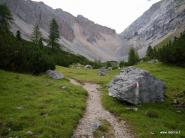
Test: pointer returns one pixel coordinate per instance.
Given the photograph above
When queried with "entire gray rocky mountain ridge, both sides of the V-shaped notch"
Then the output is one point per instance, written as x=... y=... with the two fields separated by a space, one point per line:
x=82 y=36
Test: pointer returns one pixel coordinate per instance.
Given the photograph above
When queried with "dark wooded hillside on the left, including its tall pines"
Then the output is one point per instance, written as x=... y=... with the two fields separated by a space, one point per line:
x=17 y=54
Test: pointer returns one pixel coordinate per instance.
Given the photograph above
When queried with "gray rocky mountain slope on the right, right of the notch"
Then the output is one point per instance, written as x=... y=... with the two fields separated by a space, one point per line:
x=164 y=19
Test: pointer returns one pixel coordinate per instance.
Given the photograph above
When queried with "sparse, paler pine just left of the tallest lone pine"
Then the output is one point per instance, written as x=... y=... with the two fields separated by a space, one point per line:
x=36 y=35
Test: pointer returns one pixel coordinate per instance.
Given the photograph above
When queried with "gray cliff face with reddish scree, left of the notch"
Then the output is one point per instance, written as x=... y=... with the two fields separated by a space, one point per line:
x=78 y=34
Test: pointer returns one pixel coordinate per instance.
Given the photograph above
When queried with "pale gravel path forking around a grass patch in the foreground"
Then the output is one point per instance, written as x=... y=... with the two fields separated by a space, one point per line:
x=94 y=112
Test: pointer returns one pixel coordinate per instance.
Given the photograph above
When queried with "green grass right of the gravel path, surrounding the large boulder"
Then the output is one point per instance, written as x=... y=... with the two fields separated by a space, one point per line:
x=150 y=119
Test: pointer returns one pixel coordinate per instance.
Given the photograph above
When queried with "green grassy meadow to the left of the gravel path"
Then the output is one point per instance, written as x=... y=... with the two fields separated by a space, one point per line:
x=37 y=106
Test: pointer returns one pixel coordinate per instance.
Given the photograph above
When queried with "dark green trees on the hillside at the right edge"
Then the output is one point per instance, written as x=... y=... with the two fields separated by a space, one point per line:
x=171 y=53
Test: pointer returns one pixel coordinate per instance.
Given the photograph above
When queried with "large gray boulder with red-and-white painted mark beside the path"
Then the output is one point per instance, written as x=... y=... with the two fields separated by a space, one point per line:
x=136 y=86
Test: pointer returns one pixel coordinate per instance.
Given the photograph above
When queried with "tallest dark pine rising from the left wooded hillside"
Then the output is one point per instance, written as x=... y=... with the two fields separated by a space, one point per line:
x=54 y=34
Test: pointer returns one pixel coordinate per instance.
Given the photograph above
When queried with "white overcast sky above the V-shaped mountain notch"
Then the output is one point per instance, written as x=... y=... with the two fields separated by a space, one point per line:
x=116 y=14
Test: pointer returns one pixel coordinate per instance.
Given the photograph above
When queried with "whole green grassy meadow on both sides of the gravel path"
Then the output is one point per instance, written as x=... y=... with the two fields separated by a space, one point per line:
x=37 y=106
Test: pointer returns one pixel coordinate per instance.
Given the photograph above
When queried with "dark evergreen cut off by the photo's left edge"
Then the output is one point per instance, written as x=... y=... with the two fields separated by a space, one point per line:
x=5 y=18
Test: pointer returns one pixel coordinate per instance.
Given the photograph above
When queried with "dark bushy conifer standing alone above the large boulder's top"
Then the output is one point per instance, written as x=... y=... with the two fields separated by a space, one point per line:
x=133 y=57
